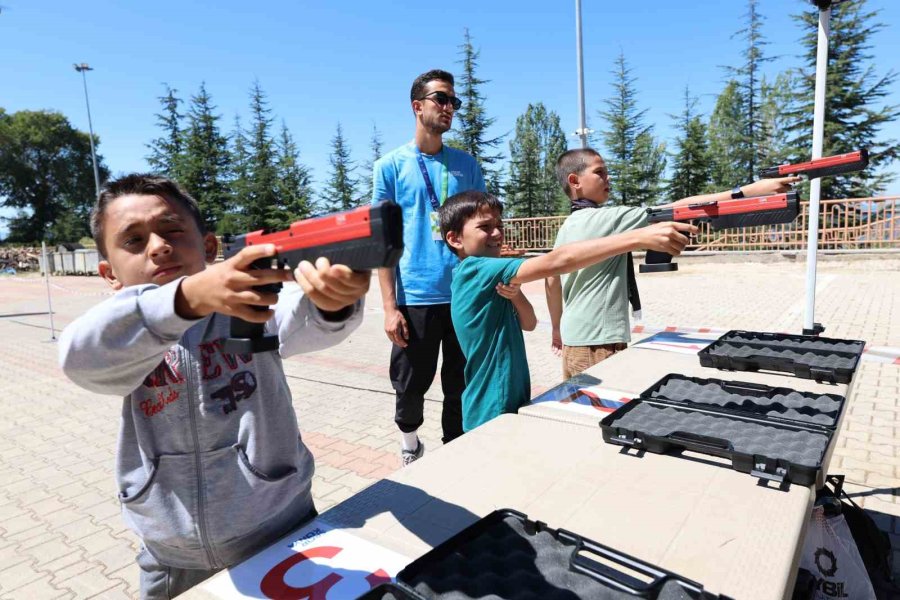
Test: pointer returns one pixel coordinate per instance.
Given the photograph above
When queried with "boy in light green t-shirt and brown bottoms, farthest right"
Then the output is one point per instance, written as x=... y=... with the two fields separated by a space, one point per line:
x=589 y=307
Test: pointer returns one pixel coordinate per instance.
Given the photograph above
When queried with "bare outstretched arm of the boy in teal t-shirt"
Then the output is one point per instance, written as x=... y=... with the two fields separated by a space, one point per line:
x=670 y=238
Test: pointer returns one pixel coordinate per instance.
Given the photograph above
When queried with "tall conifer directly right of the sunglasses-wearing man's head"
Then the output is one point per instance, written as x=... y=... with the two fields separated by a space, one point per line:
x=472 y=122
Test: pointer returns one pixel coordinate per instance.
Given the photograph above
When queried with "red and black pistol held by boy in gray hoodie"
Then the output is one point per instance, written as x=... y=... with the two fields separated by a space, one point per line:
x=370 y=237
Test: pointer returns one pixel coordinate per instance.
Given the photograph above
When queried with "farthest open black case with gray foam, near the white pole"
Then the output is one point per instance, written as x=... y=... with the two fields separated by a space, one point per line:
x=823 y=359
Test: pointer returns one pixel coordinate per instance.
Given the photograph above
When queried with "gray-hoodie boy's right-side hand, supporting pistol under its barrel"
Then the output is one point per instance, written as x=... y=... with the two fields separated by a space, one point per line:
x=331 y=287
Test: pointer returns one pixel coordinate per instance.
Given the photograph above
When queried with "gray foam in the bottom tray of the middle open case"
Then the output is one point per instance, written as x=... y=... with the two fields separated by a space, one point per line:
x=797 y=446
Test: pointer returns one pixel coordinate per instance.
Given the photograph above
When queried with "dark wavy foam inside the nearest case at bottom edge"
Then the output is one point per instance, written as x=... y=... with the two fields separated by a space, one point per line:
x=508 y=563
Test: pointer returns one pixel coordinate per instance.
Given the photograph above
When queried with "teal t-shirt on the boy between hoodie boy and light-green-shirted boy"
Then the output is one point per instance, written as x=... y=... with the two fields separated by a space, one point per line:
x=488 y=329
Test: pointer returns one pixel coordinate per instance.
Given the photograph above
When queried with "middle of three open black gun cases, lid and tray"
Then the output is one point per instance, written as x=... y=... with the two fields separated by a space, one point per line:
x=773 y=433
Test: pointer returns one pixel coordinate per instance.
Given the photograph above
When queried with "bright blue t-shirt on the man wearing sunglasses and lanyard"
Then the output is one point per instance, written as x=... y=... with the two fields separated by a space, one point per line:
x=426 y=267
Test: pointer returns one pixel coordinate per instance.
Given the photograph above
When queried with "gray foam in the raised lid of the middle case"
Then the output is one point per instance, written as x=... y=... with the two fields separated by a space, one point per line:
x=808 y=408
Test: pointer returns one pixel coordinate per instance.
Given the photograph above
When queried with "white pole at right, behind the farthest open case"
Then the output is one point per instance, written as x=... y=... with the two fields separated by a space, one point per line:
x=815 y=186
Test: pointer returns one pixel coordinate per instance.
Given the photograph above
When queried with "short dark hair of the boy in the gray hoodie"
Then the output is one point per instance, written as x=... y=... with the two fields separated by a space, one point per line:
x=142 y=184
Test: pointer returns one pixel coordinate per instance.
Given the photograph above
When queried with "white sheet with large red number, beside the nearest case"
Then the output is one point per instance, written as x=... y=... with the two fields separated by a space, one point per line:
x=318 y=563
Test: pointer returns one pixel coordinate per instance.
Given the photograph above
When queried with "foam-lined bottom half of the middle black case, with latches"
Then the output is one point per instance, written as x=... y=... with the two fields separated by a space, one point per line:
x=774 y=450
